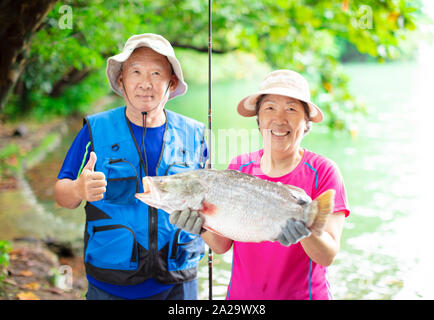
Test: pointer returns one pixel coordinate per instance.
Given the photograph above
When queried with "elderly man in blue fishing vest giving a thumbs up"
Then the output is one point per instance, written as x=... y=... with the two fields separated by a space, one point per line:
x=131 y=251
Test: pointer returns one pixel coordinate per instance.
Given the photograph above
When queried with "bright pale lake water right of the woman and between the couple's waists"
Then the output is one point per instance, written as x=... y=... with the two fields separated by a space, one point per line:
x=385 y=250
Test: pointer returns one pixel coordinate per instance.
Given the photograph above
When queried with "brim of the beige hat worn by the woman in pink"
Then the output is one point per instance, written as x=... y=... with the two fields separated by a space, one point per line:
x=247 y=106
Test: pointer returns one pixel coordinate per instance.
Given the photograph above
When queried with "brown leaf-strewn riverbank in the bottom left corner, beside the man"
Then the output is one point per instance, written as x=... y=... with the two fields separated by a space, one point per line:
x=38 y=272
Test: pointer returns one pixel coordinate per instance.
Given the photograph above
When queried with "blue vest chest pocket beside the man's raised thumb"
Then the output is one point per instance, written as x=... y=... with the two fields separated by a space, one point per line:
x=122 y=182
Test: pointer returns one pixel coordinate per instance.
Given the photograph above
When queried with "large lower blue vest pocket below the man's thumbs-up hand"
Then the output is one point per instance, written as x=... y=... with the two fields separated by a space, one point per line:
x=112 y=247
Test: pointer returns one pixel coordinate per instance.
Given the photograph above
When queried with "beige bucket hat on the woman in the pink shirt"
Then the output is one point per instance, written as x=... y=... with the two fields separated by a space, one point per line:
x=282 y=82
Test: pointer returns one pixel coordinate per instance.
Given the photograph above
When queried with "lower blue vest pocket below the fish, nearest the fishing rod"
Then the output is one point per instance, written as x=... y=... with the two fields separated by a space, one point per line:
x=185 y=251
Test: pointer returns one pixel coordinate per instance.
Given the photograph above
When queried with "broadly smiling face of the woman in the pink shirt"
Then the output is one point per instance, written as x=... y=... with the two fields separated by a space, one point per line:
x=282 y=121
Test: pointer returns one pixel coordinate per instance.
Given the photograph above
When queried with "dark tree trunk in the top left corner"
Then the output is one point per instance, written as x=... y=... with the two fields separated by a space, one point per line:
x=20 y=19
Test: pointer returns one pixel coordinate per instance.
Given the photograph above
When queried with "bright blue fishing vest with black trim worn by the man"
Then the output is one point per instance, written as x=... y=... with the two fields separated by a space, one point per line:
x=127 y=241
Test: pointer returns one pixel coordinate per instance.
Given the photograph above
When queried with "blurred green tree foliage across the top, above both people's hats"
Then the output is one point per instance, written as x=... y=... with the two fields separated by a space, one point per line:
x=303 y=35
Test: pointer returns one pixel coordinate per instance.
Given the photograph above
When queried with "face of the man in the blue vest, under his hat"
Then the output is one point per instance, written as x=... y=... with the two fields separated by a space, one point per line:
x=145 y=77
